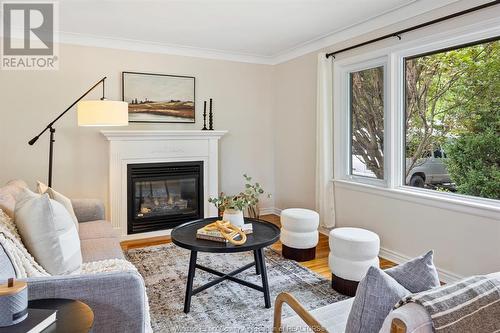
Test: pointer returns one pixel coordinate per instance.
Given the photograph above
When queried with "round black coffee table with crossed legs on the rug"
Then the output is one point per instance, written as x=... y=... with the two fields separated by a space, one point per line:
x=264 y=234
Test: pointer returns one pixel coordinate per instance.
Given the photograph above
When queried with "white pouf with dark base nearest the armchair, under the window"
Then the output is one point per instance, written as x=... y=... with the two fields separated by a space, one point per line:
x=352 y=252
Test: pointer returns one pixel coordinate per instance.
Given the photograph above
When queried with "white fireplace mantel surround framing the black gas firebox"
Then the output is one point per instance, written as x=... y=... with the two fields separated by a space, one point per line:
x=157 y=146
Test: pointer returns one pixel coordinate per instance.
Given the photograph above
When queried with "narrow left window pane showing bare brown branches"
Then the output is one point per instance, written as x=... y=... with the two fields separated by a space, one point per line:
x=367 y=122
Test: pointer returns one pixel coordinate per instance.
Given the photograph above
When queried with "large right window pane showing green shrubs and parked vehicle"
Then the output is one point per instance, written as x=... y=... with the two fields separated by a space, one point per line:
x=452 y=120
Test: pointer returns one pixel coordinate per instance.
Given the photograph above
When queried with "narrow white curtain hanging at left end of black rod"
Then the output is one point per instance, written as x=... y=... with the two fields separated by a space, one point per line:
x=325 y=203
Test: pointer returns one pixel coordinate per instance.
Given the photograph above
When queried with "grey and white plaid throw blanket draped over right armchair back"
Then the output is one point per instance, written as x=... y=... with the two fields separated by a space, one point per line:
x=470 y=305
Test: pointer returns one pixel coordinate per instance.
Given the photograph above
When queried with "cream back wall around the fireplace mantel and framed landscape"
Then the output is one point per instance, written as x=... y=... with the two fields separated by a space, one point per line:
x=243 y=99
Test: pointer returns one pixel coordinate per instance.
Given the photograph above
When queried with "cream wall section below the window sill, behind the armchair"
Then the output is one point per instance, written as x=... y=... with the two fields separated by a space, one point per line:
x=464 y=244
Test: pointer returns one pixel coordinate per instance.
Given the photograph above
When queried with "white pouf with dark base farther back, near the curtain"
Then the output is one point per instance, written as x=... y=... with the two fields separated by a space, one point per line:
x=299 y=233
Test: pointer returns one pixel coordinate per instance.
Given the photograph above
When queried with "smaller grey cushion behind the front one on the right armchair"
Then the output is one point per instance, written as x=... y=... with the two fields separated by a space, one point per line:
x=416 y=275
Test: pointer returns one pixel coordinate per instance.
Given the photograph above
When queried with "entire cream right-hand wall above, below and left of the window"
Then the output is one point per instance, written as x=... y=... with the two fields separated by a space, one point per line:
x=464 y=243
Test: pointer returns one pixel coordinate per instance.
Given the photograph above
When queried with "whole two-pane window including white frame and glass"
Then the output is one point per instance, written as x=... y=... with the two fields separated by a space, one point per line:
x=420 y=120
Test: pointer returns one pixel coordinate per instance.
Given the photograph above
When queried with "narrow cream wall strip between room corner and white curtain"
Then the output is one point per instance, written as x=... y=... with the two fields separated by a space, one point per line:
x=295 y=125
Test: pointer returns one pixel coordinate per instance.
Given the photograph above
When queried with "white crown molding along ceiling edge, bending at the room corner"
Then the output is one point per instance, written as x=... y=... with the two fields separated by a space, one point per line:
x=394 y=16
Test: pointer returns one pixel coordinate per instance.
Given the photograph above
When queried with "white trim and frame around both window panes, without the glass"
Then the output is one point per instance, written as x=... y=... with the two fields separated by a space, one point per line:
x=393 y=184
